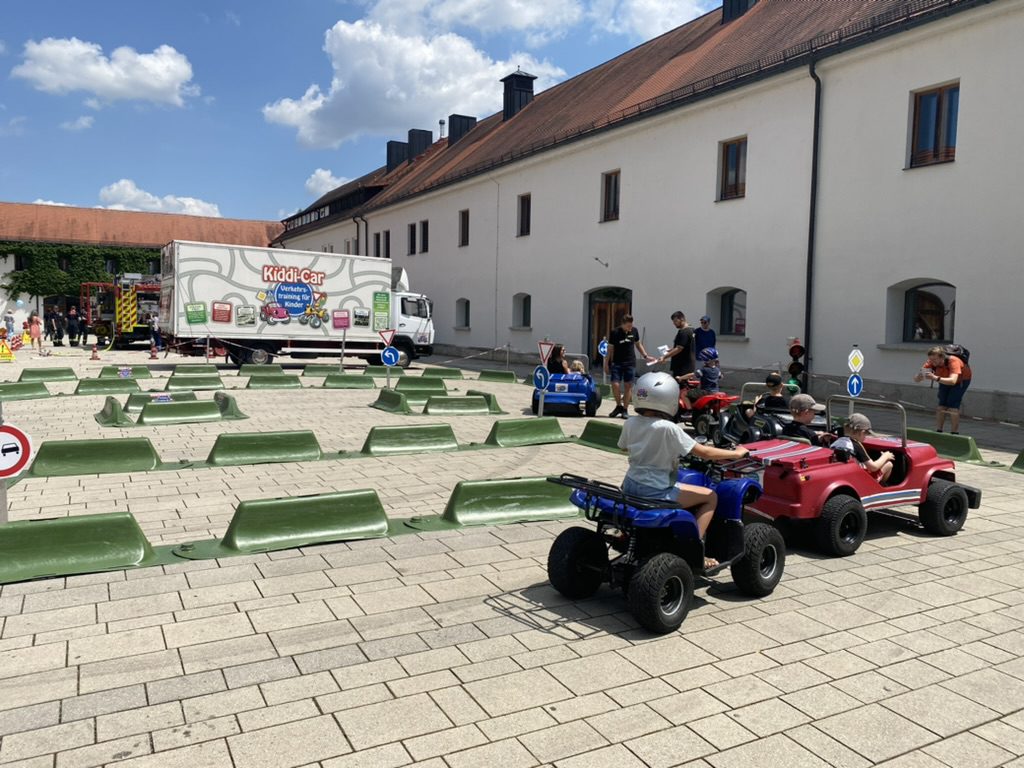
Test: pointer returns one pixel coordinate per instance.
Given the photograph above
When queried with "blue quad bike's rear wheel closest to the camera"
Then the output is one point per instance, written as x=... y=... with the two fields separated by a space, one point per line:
x=661 y=593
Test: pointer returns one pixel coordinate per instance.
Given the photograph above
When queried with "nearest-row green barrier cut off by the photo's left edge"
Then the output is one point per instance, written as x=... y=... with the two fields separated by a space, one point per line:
x=84 y=544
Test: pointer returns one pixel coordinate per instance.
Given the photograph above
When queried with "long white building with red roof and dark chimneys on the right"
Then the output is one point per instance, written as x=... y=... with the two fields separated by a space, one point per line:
x=791 y=168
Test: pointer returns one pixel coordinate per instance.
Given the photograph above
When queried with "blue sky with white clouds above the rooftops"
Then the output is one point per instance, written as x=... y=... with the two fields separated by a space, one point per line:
x=252 y=110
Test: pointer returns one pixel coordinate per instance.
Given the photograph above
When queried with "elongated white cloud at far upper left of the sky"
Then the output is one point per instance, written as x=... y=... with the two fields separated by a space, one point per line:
x=65 y=66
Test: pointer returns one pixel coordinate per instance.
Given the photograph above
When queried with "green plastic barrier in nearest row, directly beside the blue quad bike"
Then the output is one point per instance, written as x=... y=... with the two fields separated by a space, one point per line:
x=500 y=502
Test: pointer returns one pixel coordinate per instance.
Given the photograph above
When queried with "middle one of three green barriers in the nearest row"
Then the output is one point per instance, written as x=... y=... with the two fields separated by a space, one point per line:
x=271 y=525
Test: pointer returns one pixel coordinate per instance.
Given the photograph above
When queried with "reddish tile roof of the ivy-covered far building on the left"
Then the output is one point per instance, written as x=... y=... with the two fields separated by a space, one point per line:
x=27 y=223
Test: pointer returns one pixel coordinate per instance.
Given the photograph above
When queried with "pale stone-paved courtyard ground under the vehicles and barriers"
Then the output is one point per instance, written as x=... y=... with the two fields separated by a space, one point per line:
x=451 y=651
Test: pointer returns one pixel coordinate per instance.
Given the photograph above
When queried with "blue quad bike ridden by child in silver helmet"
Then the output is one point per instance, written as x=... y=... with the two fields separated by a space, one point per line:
x=654 y=551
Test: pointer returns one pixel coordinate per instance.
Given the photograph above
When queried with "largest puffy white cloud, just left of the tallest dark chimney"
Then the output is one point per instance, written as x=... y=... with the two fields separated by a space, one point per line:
x=387 y=83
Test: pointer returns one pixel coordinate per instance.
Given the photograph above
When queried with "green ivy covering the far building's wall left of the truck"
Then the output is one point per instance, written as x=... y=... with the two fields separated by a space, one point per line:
x=42 y=274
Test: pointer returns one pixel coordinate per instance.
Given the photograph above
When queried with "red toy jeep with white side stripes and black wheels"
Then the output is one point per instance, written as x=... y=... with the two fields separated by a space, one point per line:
x=805 y=483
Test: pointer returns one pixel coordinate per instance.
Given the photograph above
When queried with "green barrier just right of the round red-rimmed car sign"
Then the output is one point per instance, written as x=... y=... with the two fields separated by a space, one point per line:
x=64 y=458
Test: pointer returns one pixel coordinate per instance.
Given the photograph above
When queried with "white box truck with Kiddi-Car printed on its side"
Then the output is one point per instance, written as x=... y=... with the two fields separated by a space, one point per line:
x=255 y=304
